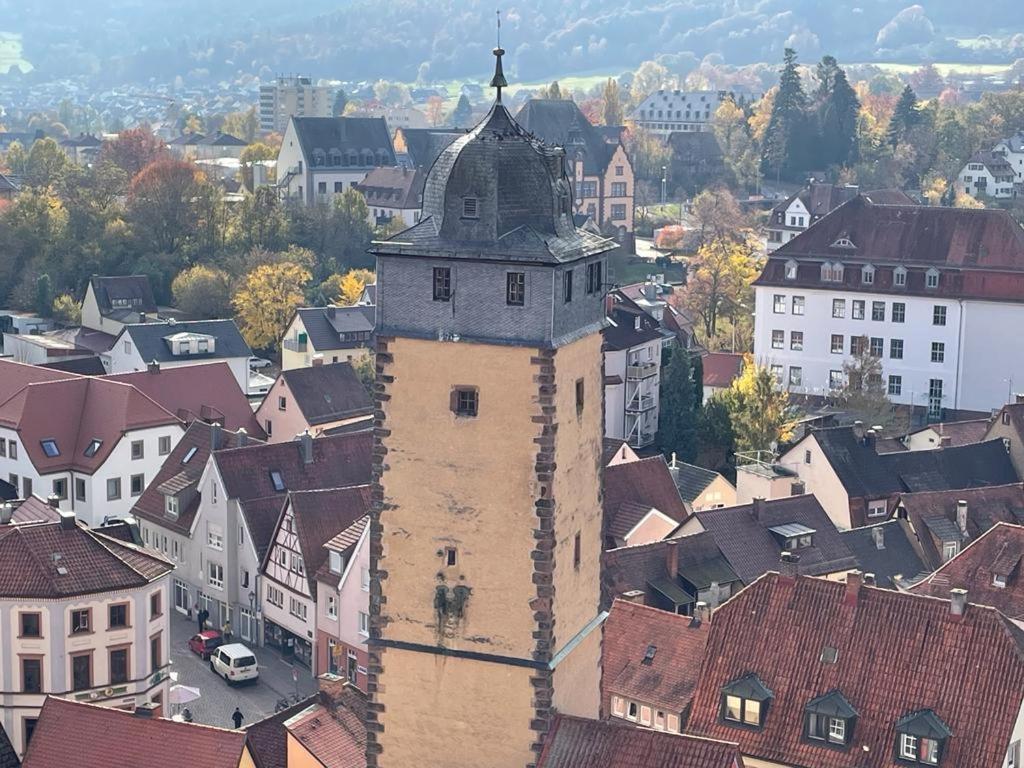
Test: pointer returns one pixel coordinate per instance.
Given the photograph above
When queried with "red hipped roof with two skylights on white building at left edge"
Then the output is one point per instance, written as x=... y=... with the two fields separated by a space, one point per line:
x=74 y=412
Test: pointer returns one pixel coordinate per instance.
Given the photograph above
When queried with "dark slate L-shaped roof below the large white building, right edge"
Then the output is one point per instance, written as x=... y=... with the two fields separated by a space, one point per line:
x=866 y=474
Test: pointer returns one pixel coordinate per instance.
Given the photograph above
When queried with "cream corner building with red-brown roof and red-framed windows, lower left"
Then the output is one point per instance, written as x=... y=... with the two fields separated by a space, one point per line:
x=87 y=620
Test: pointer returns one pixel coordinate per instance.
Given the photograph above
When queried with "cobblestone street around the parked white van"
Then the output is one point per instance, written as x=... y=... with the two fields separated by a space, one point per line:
x=220 y=700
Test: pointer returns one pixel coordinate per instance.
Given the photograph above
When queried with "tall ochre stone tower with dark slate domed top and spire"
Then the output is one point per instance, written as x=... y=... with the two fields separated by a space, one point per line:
x=486 y=534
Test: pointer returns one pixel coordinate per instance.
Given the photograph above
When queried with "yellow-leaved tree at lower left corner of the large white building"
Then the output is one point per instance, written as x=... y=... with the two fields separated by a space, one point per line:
x=759 y=409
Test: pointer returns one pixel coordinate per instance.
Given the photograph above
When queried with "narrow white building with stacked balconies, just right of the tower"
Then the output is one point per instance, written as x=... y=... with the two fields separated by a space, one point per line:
x=633 y=342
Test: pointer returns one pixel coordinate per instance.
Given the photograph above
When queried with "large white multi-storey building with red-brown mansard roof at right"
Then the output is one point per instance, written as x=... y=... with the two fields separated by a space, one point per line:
x=928 y=288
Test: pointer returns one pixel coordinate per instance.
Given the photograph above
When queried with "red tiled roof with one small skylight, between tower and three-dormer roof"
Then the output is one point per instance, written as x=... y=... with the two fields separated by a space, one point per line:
x=669 y=679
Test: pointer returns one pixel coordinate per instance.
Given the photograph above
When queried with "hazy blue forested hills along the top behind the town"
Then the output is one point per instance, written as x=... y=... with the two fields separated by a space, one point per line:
x=116 y=41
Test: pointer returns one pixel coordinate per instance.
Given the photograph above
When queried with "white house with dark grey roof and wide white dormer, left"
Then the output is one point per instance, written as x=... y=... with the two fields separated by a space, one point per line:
x=172 y=344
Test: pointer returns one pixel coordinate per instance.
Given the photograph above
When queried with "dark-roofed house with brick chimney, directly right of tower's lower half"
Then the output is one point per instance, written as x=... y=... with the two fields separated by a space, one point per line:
x=672 y=575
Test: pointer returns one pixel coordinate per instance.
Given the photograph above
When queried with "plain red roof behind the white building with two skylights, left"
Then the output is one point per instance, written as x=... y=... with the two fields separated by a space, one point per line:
x=206 y=392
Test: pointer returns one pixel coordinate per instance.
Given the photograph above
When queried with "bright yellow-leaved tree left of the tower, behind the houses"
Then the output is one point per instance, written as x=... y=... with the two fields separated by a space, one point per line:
x=267 y=301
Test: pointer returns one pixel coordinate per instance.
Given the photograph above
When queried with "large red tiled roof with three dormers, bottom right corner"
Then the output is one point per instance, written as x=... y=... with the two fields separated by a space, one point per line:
x=898 y=654
